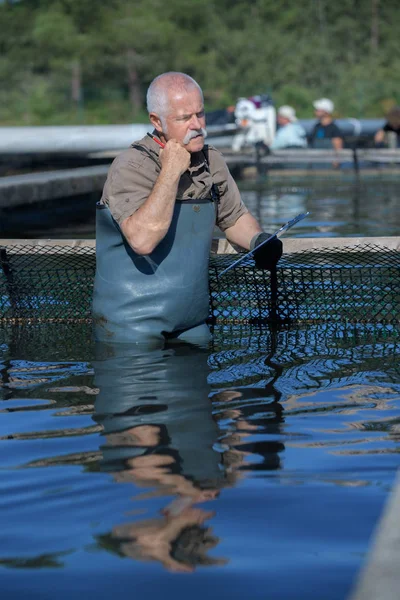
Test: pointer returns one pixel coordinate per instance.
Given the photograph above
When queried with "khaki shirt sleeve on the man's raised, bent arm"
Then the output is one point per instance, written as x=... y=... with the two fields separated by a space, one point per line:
x=129 y=183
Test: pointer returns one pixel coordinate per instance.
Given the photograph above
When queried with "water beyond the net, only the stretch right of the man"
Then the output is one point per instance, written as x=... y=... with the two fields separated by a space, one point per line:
x=343 y=206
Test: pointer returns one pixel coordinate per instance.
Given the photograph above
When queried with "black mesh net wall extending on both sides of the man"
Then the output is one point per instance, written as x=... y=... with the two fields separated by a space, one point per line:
x=357 y=284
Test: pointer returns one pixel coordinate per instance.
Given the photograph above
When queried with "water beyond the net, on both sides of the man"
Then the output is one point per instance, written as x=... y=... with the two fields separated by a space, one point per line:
x=340 y=206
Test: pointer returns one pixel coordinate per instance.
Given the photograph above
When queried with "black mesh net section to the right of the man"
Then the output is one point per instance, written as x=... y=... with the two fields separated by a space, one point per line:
x=356 y=284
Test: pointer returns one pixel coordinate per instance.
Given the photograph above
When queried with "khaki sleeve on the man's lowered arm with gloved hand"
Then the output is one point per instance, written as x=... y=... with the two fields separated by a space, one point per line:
x=230 y=206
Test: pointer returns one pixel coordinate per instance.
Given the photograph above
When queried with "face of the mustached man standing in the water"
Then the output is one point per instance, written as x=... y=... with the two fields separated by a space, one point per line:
x=185 y=119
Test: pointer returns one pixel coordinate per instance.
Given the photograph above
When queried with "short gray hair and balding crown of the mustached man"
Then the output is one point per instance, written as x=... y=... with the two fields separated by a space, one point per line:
x=157 y=94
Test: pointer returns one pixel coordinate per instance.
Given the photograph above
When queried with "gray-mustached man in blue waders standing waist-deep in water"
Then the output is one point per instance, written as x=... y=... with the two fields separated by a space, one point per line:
x=155 y=224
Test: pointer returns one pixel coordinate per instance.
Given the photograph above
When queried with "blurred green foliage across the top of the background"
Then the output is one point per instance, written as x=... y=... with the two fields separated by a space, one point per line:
x=81 y=61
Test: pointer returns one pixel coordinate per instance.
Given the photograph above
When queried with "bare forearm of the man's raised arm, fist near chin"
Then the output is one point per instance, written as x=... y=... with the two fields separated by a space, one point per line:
x=145 y=229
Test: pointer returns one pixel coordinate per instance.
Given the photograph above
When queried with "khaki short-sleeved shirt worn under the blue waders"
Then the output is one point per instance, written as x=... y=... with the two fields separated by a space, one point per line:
x=133 y=174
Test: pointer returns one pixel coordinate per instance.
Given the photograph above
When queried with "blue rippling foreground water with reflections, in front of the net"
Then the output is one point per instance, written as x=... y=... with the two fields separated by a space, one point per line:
x=255 y=468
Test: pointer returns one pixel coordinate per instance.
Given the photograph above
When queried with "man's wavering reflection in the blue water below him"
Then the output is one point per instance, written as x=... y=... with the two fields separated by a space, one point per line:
x=160 y=434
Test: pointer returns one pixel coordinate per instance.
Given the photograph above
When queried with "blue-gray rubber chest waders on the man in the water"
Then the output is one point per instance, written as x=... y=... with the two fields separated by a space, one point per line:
x=164 y=294
